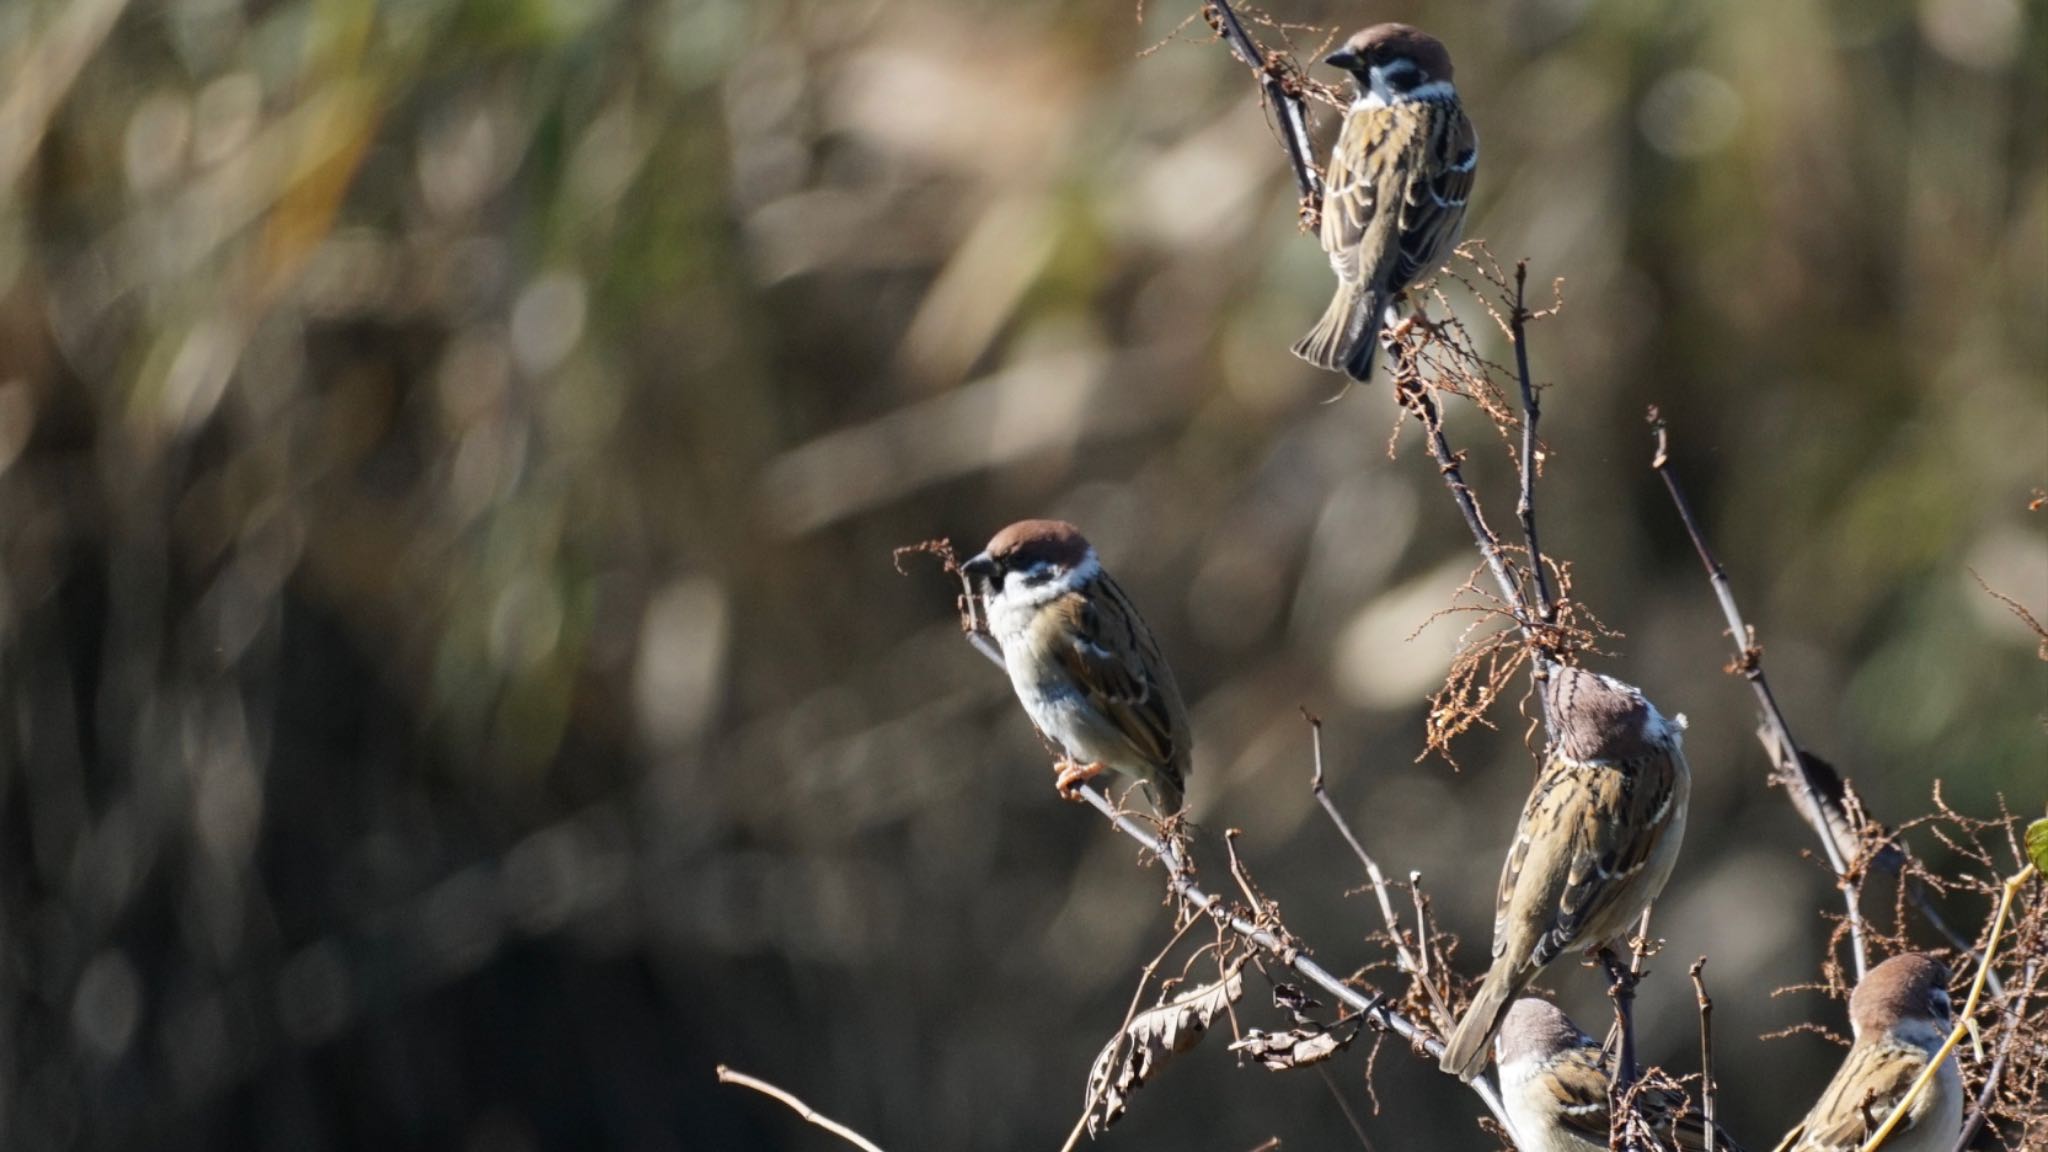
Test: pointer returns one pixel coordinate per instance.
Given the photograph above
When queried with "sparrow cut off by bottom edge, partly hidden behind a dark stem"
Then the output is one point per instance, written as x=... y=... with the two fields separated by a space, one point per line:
x=1555 y=1087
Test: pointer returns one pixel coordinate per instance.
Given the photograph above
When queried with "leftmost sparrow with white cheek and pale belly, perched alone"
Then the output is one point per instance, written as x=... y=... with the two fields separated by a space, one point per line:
x=1082 y=661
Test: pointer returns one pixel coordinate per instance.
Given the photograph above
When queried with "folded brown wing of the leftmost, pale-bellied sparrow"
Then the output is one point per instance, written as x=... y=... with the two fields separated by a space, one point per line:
x=1117 y=665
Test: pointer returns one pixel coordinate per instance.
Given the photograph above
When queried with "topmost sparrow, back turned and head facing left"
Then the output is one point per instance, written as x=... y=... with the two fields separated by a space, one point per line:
x=1394 y=198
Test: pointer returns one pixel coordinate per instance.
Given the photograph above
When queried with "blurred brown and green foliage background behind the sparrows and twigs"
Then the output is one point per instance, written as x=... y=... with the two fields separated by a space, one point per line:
x=450 y=458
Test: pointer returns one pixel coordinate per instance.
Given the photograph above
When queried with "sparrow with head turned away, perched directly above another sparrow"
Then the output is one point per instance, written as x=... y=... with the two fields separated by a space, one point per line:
x=1594 y=846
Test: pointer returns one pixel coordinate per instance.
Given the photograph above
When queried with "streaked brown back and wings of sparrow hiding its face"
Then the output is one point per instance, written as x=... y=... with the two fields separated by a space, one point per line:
x=1584 y=837
